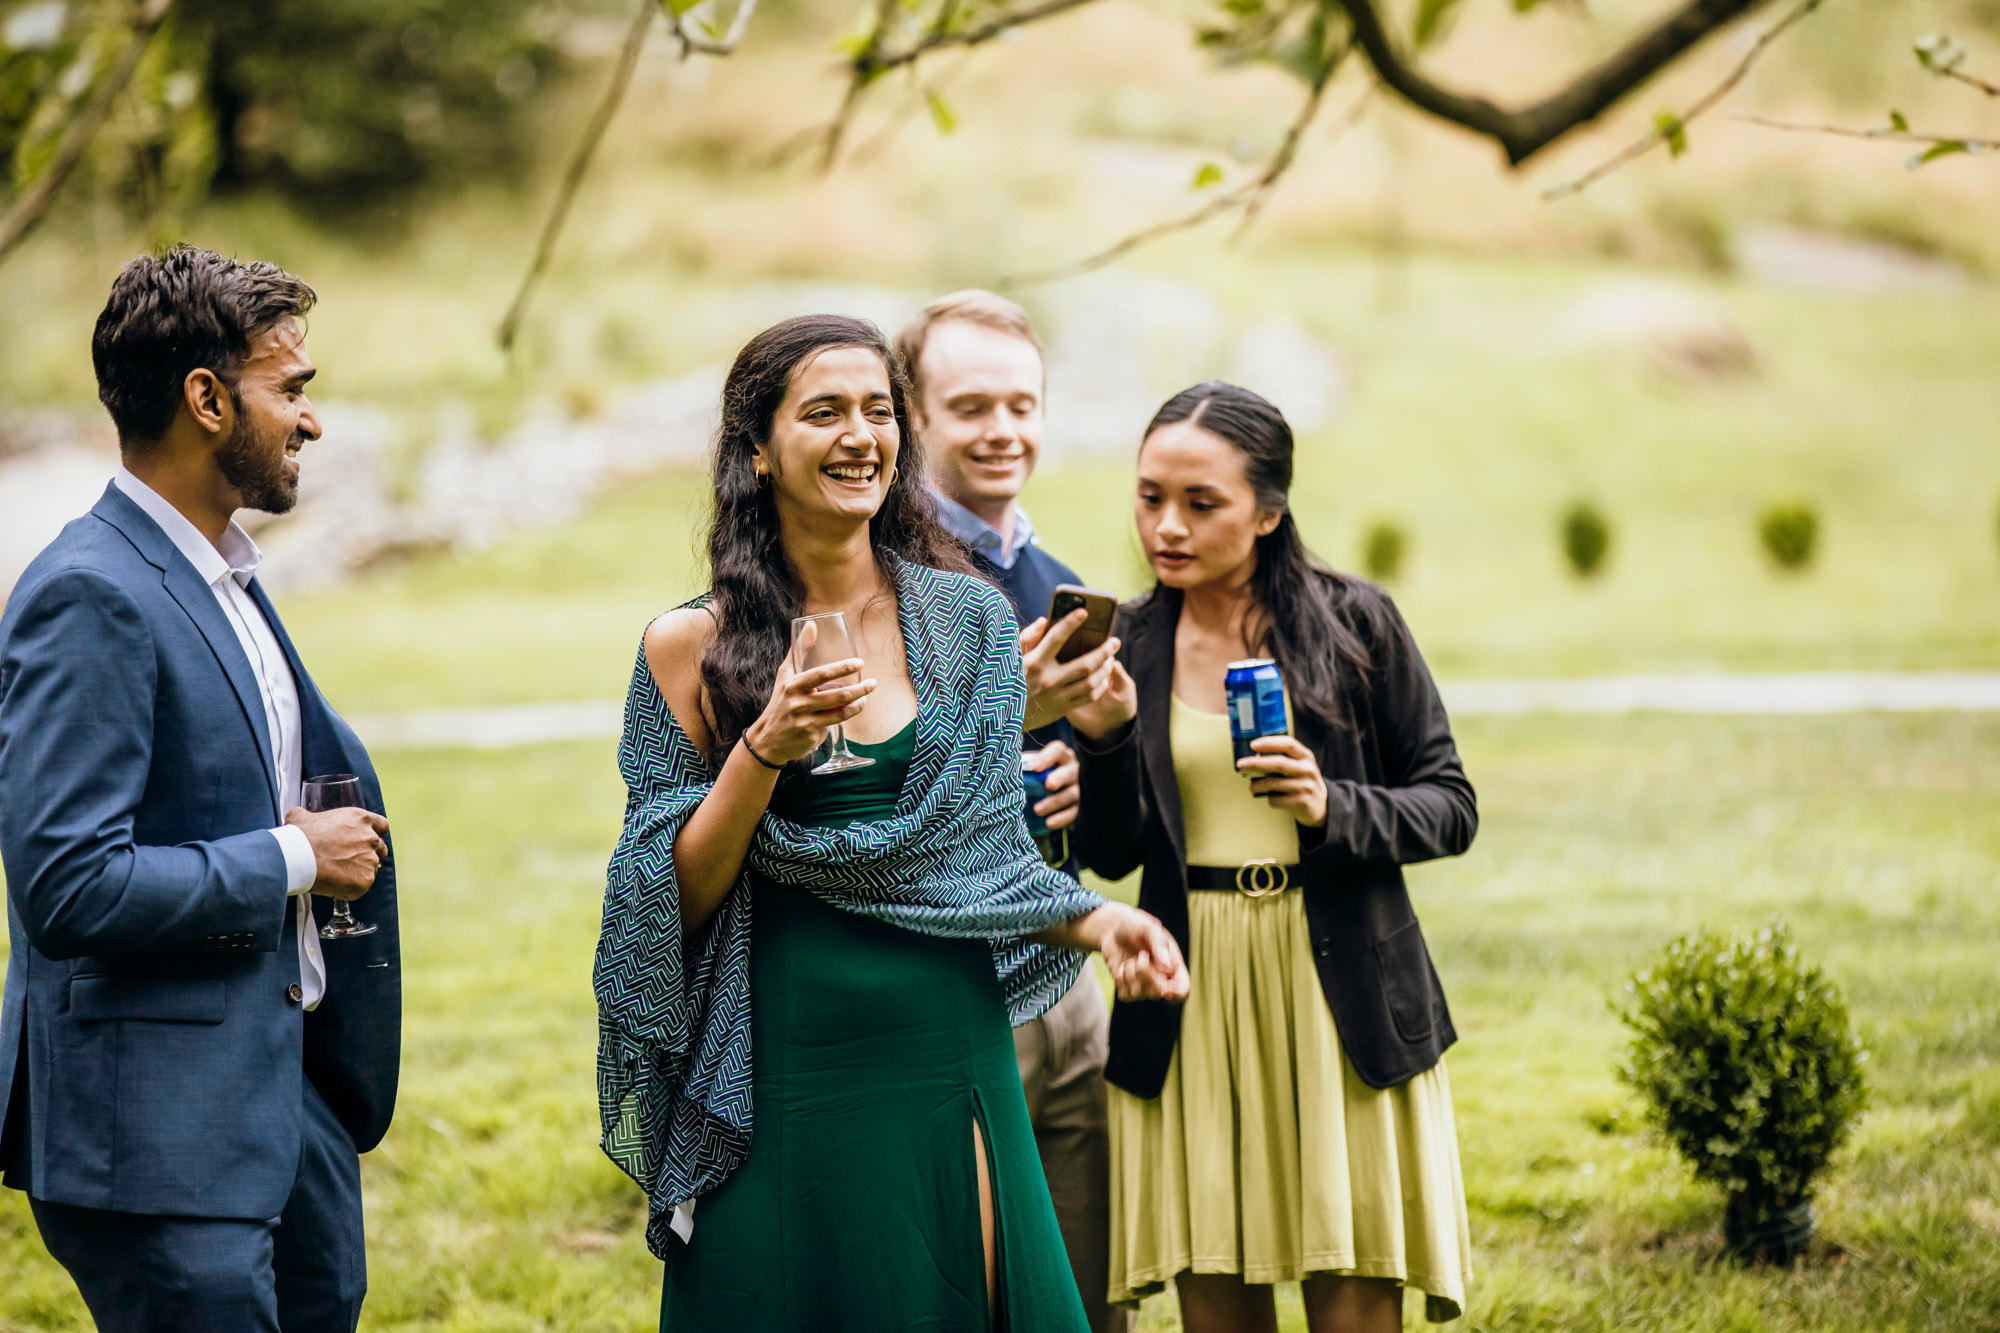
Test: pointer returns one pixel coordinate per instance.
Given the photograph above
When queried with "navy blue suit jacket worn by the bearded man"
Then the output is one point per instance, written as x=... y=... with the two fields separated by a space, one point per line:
x=151 y=1044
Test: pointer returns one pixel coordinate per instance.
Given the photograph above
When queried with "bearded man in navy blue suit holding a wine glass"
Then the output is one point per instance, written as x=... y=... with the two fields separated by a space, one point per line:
x=187 y=1074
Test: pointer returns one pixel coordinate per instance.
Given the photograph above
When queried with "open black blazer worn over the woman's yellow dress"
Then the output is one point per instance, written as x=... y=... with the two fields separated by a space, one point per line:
x=1395 y=796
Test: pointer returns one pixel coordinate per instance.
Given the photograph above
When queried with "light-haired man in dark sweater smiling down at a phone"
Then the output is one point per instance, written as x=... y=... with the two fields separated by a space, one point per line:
x=977 y=395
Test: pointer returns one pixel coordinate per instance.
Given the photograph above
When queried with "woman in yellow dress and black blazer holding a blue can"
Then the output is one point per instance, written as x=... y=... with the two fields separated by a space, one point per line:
x=1293 y=1122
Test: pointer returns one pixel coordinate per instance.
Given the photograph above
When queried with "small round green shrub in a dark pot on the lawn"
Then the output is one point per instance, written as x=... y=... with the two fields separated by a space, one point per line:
x=1749 y=1066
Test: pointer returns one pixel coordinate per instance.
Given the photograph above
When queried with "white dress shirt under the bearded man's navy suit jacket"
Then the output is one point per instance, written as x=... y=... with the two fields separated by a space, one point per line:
x=229 y=567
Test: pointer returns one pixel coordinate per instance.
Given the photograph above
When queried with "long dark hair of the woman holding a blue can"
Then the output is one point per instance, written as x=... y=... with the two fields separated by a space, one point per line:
x=1295 y=593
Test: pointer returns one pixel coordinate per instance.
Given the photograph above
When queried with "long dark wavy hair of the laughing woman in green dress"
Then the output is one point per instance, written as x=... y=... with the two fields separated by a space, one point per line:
x=753 y=587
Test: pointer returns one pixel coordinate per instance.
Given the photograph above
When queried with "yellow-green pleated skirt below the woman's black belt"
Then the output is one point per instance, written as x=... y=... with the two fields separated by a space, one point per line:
x=1265 y=1154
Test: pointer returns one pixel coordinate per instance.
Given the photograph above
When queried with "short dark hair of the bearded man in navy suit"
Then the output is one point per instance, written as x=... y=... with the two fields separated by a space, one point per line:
x=177 y=313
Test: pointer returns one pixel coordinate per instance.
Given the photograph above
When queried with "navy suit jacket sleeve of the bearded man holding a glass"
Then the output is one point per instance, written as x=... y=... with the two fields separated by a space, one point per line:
x=77 y=698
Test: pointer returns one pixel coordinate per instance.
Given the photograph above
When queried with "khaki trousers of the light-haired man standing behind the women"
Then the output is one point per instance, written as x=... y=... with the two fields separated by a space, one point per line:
x=1063 y=1074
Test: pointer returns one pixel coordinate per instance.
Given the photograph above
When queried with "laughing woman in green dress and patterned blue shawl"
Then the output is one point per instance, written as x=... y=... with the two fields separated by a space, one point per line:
x=839 y=952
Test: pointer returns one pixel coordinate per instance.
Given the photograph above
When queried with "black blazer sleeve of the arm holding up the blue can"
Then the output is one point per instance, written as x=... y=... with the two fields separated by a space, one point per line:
x=1425 y=808
